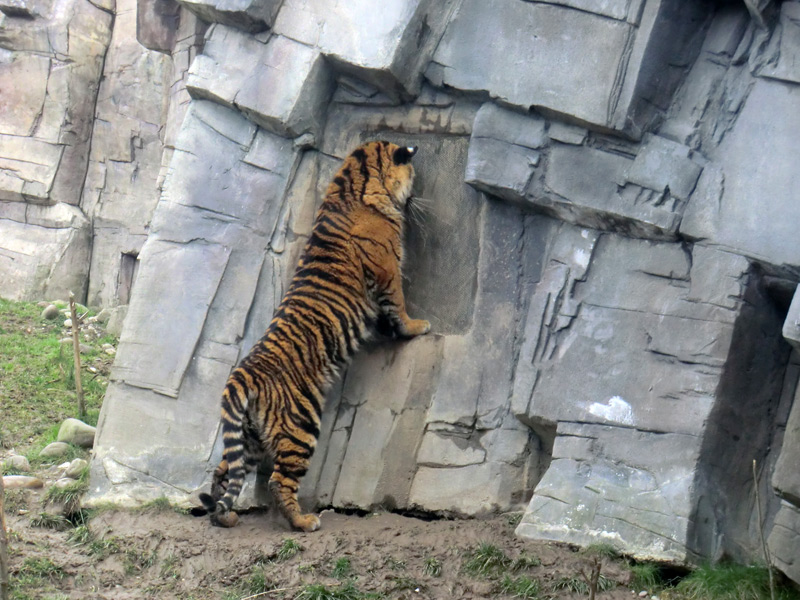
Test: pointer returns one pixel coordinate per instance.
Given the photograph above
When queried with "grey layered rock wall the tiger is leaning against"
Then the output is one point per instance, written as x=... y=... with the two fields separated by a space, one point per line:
x=605 y=248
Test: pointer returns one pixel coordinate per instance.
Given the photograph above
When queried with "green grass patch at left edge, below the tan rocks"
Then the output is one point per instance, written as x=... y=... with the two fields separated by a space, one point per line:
x=37 y=380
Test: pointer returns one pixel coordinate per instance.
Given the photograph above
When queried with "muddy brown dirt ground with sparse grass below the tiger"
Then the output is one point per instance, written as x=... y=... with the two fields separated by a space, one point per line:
x=162 y=553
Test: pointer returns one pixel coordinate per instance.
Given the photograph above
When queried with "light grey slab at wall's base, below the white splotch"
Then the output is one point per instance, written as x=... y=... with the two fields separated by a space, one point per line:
x=592 y=495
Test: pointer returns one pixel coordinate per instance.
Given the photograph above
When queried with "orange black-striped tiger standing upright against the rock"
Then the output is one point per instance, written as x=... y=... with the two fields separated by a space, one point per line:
x=348 y=279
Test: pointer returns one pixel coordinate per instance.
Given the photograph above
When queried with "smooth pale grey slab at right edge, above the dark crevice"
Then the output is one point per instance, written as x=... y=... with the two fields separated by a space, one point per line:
x=721 y=210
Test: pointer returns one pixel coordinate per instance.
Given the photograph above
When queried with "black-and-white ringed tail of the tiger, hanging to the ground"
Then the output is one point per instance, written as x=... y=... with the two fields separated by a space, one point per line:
x=232 y=467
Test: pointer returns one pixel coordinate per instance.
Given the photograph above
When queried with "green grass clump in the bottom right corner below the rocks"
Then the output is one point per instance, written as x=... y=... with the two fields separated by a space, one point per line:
x=728 y=581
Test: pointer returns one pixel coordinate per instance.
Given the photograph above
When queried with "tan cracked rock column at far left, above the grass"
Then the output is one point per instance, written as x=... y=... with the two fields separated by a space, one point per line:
x=50 y=69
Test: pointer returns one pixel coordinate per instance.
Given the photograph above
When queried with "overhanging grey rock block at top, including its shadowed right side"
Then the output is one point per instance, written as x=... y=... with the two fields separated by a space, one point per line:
x=594 y=70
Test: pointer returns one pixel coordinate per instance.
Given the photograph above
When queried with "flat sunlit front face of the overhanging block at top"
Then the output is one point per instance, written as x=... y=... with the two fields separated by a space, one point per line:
x=566 y=60
